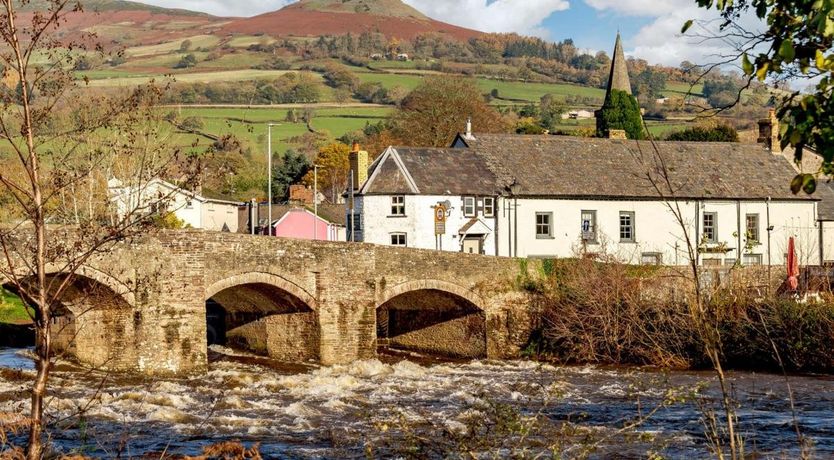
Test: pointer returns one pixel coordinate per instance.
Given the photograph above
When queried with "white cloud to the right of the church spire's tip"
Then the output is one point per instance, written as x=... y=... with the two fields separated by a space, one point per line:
x=661 y=41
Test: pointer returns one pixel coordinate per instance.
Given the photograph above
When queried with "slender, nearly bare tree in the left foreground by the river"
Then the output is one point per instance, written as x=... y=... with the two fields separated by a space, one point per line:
x=62 y=154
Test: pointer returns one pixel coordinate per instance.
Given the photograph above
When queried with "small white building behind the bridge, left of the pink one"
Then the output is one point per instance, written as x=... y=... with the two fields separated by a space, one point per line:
x=195 y=210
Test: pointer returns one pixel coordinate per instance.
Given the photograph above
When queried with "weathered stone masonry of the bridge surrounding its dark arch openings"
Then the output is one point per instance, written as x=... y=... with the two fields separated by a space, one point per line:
x=159 y=284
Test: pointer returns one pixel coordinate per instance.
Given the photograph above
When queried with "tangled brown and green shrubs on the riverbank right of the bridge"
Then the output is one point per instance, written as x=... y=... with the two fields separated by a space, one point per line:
x=612 y=314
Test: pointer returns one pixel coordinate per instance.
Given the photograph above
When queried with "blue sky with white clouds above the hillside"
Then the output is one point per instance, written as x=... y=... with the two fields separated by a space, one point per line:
x=650 y=28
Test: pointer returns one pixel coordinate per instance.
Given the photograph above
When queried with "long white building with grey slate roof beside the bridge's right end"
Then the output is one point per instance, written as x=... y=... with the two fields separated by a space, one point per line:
x=558 y=196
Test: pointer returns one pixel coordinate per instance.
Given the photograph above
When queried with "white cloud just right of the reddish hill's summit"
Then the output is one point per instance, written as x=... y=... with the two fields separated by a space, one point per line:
x=521 y=16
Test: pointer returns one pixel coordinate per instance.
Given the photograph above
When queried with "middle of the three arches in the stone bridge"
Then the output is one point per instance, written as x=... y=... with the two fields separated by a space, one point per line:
x=263 y=313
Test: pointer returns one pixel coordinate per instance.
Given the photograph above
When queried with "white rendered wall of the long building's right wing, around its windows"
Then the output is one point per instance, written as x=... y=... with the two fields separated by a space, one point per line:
x=657 y=230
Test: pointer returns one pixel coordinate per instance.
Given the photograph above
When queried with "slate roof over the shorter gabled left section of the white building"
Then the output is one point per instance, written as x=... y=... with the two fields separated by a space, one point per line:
x=432 y=171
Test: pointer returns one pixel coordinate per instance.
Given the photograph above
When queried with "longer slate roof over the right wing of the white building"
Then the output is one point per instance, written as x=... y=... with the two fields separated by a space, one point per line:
x=594 y=167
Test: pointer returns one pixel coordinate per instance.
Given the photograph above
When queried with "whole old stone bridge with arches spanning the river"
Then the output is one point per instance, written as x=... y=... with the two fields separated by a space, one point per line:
x=152 y=305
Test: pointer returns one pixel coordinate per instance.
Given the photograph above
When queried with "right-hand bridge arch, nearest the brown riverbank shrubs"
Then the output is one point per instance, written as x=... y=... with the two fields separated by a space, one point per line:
x=434 y=317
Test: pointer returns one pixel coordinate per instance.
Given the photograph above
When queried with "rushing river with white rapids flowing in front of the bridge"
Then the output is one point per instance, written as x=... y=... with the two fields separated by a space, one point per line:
x=417 y=407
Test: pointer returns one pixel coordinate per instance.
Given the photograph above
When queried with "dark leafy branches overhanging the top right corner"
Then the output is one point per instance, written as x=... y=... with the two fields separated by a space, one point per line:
x=796 y=41
